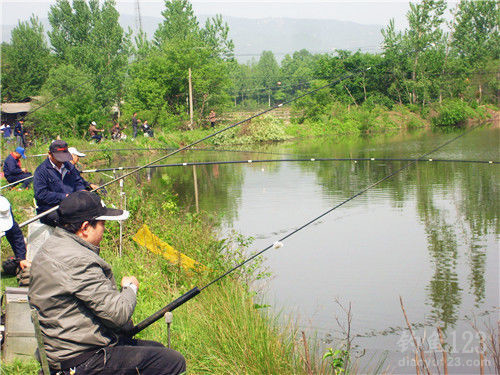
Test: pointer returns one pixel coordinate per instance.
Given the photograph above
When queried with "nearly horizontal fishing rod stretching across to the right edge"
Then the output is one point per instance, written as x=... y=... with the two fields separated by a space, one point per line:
x=250 y=161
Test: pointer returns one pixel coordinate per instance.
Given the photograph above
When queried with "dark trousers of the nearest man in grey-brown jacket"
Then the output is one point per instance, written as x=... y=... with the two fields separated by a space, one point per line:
x=133 y=357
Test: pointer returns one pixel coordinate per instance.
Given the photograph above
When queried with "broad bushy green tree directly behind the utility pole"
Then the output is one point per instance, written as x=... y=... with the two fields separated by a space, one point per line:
x=159 y=81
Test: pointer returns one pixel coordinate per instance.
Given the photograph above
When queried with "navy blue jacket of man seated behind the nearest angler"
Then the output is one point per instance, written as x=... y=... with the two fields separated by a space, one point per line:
x=51 y=188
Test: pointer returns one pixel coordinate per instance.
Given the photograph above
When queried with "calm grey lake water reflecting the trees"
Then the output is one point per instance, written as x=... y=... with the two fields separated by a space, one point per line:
x=430 y=234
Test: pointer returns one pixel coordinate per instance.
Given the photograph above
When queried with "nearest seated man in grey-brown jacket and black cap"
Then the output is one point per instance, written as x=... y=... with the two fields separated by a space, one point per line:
x=81 y=311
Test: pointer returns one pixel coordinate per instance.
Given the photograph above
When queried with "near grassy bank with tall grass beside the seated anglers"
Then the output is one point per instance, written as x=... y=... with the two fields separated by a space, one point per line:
x=220 y=331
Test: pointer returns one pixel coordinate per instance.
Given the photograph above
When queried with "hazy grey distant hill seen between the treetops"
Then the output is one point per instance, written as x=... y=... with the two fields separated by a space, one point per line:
x=280 y=35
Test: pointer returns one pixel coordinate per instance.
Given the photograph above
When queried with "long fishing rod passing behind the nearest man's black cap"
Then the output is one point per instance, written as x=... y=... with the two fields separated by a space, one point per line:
x=37 y=217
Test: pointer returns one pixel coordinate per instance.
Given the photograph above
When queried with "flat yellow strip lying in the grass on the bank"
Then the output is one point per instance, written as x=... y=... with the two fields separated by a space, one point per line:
x=146 y=238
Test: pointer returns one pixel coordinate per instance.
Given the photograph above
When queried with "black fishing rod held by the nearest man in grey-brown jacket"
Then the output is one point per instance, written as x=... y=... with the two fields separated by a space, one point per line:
x=278 y=244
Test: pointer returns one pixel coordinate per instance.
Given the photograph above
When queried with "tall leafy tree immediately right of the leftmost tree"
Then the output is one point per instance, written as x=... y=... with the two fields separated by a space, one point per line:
x=89 y=37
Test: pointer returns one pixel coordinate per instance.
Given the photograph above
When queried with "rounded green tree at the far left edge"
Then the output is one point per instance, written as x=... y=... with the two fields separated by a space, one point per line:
x=25 y=61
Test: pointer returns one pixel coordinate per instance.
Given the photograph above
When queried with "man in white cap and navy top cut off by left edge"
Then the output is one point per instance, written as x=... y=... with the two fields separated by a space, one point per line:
x=14 y=236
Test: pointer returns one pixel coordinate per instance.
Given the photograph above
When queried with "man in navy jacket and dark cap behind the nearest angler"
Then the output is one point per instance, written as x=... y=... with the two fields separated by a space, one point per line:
x=54 y=180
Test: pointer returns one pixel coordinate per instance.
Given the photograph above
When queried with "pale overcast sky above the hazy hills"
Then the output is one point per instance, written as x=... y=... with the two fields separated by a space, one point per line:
x=365 y=12
